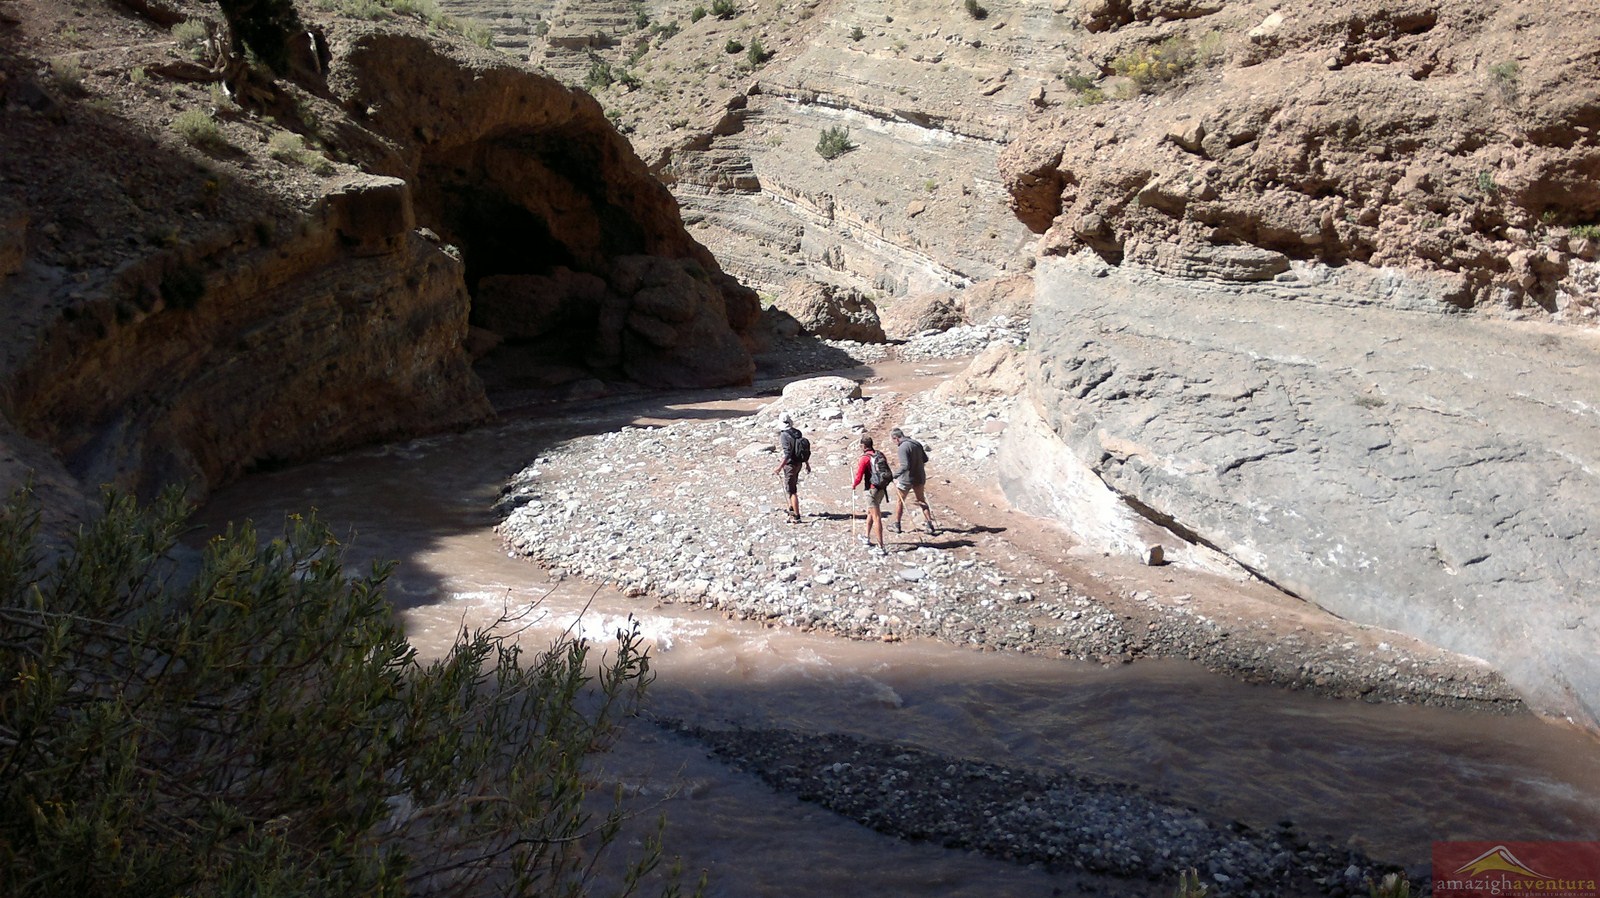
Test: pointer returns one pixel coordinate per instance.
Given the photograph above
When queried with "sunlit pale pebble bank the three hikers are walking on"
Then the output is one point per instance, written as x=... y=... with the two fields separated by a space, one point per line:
x=692 y=513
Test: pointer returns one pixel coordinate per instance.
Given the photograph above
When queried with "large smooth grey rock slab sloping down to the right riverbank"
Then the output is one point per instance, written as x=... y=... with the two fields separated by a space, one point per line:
x=1402 y=468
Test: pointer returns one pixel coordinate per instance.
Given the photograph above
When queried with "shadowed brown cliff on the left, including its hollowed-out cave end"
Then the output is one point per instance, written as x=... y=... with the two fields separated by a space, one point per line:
x=183 y=313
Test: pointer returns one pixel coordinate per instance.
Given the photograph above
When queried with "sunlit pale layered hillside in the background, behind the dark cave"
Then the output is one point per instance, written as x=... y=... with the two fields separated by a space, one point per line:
x=927 y=94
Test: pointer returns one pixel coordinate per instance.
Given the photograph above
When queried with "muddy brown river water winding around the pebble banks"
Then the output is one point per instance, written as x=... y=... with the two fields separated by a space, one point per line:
x=1385 y=779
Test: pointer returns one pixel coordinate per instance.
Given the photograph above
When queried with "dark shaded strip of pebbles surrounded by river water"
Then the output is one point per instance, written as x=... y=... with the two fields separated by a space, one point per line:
x=1055 y=820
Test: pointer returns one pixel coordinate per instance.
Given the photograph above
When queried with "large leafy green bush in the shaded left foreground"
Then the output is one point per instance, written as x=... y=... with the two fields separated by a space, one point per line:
x=255 y=723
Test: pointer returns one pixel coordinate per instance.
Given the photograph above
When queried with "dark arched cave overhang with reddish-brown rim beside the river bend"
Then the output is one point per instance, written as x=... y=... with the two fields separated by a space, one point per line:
x=550 y=206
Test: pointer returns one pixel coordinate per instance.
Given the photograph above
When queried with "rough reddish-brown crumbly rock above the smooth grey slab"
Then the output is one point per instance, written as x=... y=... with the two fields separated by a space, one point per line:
x=1457 y=138
